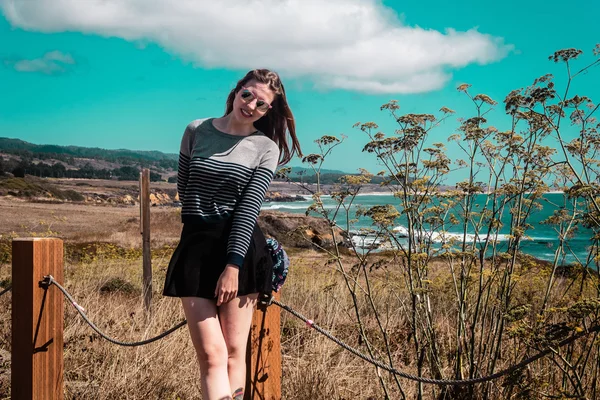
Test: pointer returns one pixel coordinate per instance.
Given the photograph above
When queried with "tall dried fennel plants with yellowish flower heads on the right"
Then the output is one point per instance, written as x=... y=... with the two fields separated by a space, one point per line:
x=474 y=303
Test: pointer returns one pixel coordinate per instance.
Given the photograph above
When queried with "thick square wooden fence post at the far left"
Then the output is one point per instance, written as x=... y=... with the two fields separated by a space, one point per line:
x=37 y=320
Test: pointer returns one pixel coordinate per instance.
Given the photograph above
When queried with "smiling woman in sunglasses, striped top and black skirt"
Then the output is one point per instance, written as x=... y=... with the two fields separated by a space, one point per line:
x=221 y=263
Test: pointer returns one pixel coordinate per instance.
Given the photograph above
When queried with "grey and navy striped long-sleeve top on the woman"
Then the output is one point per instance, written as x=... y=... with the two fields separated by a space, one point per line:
x=223 y=176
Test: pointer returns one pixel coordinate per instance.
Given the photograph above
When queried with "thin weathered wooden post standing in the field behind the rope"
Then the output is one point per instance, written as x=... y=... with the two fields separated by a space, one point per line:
x=145 y=229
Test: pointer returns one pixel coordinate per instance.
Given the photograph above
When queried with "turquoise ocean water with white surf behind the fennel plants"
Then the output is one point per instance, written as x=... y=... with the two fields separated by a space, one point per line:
x=542 y=239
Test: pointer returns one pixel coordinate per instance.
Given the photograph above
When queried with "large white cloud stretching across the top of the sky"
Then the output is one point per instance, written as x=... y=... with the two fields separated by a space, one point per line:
x=350 y=44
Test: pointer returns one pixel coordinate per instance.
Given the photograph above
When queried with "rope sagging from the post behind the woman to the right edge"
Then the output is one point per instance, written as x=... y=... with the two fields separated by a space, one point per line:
x=441 y=382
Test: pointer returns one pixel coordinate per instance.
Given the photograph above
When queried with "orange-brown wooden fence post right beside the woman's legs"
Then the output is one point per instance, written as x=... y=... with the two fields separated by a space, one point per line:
x=263 y=358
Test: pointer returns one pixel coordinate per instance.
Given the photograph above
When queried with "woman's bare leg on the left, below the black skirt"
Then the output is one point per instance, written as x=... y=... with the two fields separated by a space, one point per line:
x=211 y=349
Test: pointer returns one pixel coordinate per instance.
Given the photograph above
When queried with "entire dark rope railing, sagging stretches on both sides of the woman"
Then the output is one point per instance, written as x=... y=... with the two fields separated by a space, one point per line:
x=49 y=280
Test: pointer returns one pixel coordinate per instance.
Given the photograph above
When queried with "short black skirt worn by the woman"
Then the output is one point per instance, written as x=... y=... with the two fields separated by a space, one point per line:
x=201 y=257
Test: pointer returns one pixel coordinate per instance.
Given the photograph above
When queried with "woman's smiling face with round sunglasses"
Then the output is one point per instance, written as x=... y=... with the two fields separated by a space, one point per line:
x=251 y=102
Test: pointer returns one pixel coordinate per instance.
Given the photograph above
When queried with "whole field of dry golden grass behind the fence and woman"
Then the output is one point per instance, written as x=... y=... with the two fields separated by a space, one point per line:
x=103 y=272
